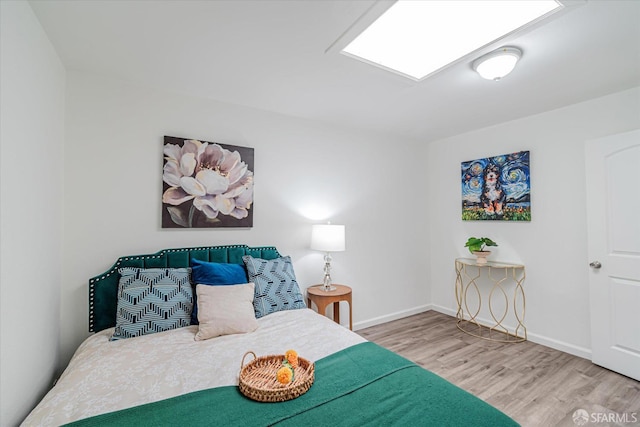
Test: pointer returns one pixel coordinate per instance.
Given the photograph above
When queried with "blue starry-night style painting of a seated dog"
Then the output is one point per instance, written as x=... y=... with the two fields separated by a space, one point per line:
x=497 y=188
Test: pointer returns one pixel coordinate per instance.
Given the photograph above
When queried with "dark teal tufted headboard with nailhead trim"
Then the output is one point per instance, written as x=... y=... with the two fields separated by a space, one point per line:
x=103 y=288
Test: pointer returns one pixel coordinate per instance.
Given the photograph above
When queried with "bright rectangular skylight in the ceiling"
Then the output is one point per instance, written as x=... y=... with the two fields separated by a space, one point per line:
x=417 y=38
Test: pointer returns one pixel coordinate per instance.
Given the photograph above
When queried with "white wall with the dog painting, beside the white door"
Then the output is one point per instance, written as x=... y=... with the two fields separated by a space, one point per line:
x=553 y=246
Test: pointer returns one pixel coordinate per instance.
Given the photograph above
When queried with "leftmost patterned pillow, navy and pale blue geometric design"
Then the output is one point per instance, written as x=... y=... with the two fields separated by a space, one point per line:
x=152 y=300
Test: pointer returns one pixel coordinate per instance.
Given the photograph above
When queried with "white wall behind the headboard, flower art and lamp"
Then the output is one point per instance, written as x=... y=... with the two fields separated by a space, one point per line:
x=305 y=173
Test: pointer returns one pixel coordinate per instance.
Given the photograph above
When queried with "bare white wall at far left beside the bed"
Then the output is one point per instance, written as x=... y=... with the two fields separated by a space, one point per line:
x=31 y=155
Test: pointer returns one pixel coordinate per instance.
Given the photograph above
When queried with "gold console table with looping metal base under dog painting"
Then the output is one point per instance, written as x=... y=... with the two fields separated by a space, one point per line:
x=506 y=281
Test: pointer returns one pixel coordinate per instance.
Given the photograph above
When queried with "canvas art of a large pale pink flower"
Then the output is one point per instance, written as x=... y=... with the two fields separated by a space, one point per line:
x=206 y=184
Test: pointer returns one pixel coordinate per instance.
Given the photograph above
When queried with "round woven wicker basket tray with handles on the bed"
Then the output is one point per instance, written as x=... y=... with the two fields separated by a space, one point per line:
x=258 y=379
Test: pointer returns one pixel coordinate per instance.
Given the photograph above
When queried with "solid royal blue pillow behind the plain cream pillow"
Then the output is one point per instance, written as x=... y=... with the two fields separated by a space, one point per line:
x=214 y=274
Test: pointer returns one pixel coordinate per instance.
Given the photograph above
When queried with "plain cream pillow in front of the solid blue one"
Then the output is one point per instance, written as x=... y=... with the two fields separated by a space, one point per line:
x=225 y=310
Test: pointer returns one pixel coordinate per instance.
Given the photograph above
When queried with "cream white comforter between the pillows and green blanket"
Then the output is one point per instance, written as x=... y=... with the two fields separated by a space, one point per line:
x=105 y=376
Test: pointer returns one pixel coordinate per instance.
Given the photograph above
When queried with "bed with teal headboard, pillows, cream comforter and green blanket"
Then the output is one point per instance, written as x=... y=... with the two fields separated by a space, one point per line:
x=176 y=376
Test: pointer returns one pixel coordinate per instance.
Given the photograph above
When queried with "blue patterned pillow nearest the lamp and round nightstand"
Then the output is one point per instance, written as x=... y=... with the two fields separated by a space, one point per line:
x=276 y=285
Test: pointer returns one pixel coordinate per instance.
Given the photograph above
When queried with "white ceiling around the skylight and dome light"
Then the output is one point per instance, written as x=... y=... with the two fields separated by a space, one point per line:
x=271 y=55
